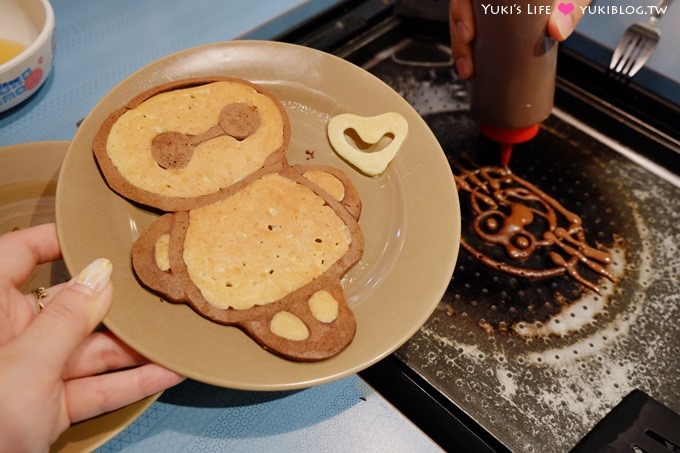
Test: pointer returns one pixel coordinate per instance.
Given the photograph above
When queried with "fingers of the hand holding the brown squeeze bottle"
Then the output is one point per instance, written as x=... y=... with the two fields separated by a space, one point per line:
x=462 y=29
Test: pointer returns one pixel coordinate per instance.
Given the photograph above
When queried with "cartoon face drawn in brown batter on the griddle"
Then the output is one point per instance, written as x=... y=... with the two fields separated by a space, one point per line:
x=514 y=215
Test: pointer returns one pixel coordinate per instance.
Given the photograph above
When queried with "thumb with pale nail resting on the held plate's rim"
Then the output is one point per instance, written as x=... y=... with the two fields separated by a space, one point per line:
x=71 y=316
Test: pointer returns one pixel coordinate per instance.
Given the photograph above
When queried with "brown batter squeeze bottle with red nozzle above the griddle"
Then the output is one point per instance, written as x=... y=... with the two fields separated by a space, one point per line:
x=515 y=62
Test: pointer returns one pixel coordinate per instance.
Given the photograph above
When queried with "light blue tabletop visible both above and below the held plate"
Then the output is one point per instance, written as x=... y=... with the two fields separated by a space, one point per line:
x=98 y=44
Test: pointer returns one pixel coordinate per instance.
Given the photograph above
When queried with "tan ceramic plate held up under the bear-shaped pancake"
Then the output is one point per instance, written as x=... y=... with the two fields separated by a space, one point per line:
x=411 y=220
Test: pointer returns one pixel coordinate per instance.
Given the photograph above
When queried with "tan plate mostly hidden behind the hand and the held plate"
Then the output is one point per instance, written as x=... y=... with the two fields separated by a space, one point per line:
x=28 y=181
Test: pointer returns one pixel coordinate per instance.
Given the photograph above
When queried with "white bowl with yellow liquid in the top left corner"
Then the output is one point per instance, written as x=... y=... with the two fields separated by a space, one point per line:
x=31 y=24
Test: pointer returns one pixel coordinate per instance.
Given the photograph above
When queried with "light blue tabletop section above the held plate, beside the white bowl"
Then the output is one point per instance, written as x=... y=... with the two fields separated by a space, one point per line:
x=98 y=44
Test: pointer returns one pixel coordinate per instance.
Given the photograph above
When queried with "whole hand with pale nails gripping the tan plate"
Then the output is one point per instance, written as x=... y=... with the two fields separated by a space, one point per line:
x=54 y=370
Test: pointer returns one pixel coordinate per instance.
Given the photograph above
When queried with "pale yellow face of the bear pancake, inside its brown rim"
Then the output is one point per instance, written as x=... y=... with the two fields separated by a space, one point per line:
x=217 y=163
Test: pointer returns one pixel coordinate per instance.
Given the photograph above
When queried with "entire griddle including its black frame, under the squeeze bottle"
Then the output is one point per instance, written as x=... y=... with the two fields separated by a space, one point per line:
x=493 y=390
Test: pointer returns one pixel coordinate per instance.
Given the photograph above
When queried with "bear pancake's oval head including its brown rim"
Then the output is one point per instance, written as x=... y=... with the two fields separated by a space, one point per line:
x=193 y=109
